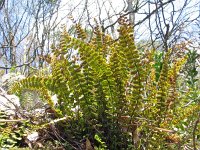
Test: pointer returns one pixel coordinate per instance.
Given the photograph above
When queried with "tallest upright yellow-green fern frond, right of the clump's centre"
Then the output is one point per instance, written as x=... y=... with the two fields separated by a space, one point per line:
x=133 y=63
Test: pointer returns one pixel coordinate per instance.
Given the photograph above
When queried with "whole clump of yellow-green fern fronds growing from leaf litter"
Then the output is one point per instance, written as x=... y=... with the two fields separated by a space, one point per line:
x=109 y=88
